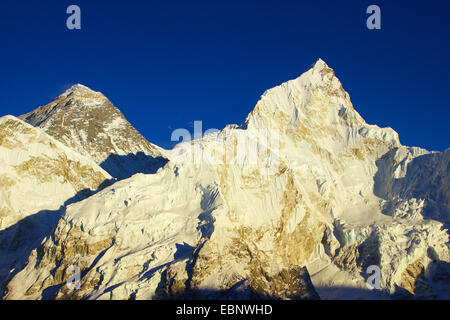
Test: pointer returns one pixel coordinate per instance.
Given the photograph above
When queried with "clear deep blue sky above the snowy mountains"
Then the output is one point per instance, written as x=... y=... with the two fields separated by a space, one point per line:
x=167 y=63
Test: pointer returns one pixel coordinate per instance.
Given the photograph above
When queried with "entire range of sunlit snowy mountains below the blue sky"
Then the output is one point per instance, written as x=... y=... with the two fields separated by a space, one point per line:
x=299 y=202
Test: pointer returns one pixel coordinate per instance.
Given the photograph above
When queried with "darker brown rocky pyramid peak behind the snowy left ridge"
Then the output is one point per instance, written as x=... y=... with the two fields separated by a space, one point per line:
x=89 y=123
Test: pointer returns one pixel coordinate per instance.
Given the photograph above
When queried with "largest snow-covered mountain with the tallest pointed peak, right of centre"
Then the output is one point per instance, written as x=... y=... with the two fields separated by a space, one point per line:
x=295 y=203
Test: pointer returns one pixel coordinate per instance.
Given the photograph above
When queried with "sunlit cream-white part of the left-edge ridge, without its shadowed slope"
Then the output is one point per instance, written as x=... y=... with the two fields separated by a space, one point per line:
x=38 y=172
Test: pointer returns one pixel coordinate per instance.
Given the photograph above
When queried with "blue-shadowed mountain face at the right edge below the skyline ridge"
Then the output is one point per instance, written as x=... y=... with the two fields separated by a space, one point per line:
x=413 y=174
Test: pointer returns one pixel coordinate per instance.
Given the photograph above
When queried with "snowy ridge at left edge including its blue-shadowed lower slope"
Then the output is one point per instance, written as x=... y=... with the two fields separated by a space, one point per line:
x=39 y=176
